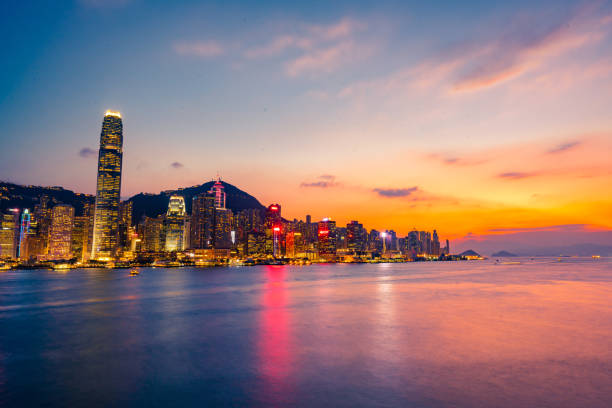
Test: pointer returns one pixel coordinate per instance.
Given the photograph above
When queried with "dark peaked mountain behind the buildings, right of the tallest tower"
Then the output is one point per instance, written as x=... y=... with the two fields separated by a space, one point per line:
x=153 y=205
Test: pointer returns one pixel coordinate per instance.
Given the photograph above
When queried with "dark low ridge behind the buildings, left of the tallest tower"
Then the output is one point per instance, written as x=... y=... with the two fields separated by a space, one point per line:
x=18 y=196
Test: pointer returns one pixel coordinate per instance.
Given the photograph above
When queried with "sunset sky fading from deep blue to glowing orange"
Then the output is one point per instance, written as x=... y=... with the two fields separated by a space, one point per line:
x=480 y=119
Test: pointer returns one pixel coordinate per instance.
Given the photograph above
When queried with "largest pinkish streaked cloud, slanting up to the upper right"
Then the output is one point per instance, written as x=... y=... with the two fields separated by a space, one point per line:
x=522 y=47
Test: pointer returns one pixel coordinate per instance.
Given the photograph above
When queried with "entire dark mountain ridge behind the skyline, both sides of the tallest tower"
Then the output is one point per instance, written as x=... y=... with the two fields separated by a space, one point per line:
x=18 y=196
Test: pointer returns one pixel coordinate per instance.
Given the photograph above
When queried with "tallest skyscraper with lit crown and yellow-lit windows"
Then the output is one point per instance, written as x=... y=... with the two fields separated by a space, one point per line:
x=108 y=188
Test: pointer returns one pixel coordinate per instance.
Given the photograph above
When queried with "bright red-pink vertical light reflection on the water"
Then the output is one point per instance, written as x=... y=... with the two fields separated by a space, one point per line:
x=274 y=342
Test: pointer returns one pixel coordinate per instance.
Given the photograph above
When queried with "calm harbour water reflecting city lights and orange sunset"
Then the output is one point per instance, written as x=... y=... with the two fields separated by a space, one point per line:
x=460 y=334
